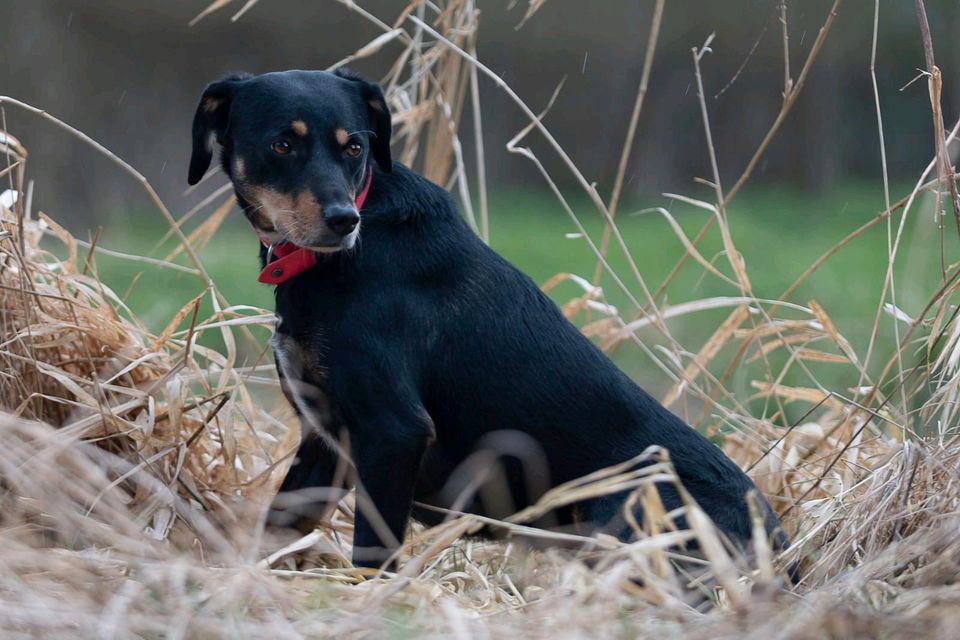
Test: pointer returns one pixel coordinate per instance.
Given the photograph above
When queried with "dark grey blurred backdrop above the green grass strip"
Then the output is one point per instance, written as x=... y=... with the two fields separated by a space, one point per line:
x=129 y=72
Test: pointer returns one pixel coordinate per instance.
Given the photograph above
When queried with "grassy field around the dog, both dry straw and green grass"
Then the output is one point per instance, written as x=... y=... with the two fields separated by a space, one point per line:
x=813 y=336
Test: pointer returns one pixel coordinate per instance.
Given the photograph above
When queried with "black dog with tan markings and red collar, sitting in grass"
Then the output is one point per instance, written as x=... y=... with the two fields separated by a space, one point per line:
x=420 y=343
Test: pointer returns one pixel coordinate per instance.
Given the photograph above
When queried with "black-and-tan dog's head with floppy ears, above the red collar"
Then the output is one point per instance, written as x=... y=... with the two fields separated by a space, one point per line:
x=297 y=146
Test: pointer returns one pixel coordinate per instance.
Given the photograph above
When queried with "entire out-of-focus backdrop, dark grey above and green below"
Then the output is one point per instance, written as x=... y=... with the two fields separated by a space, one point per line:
x=129 y=73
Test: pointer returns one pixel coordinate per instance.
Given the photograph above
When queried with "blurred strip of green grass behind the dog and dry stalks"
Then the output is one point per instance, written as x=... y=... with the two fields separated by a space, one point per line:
x=779 y=231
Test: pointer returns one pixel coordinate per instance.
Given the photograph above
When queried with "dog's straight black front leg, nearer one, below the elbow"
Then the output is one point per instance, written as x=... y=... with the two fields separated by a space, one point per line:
x=387 y=454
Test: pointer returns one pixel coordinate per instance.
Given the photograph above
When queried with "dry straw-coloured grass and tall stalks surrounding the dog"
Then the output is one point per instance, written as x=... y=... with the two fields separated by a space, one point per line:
x=135 y=466
